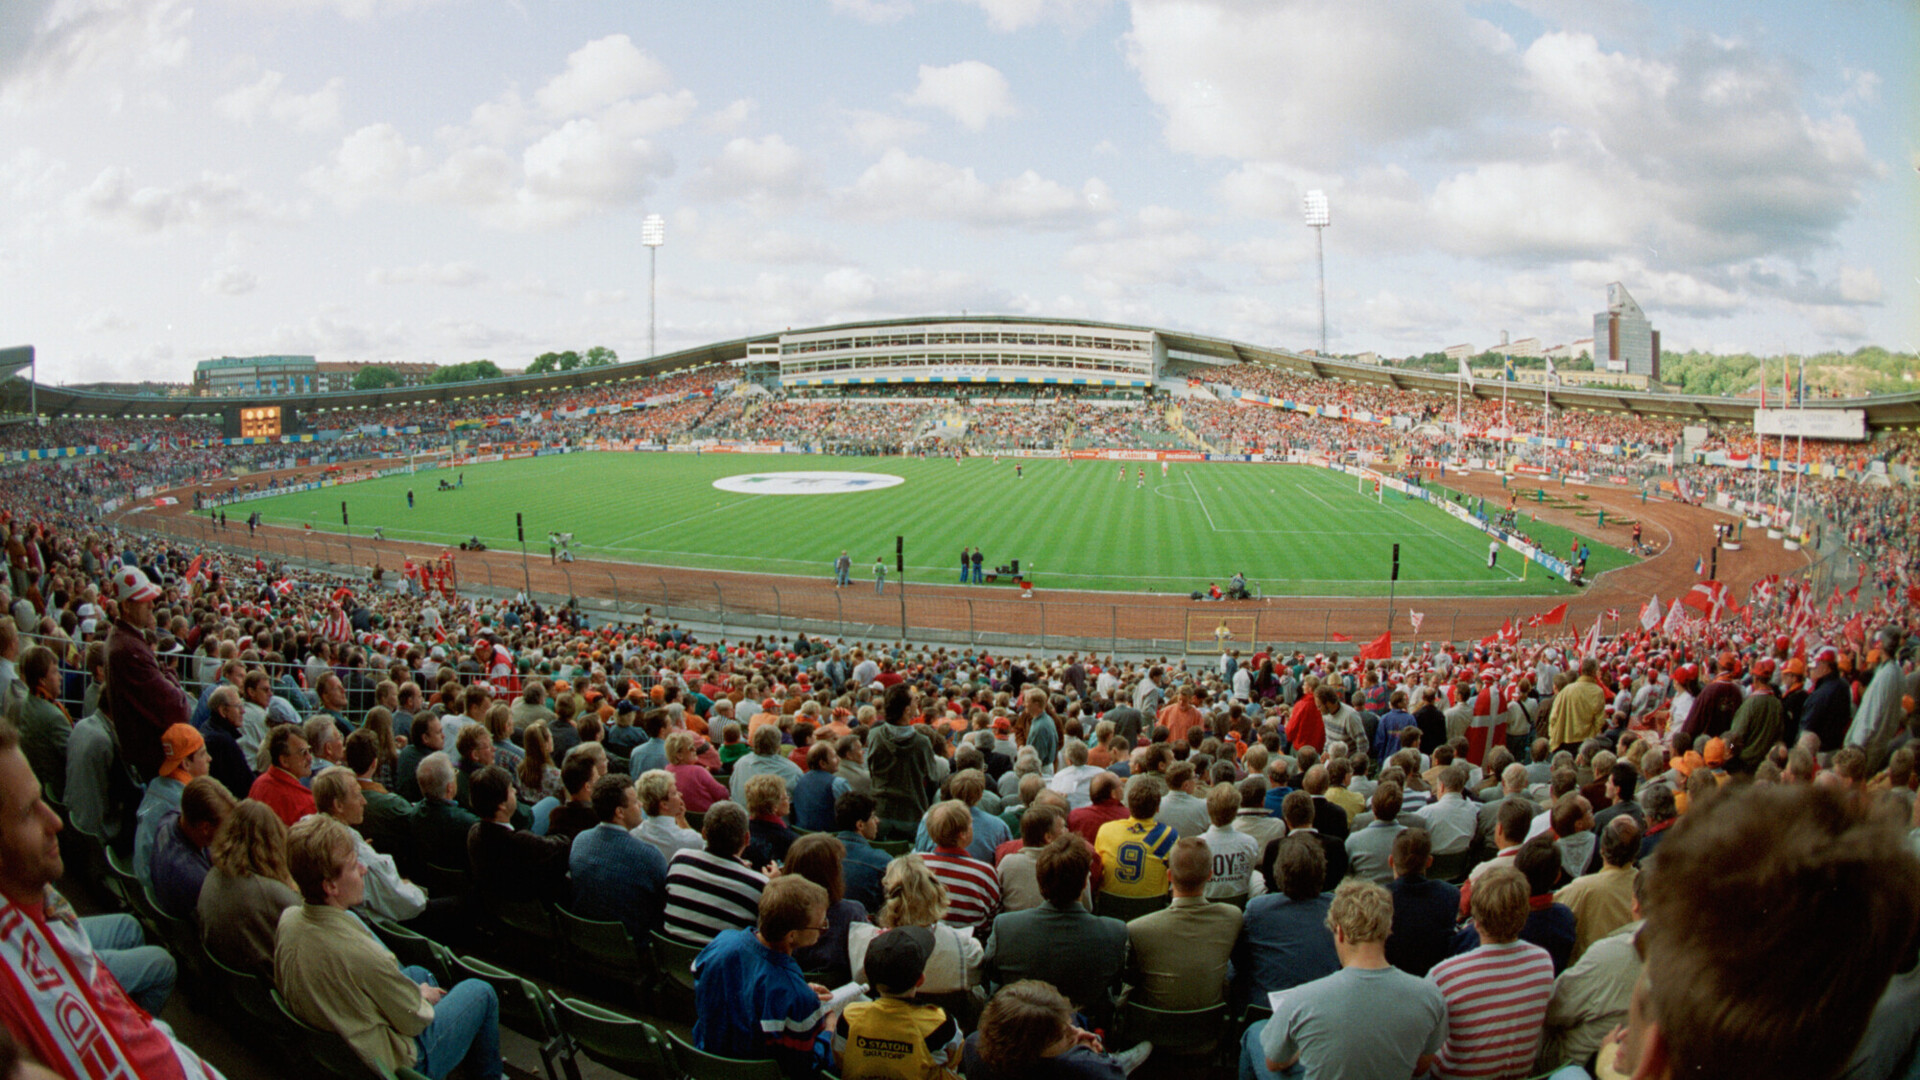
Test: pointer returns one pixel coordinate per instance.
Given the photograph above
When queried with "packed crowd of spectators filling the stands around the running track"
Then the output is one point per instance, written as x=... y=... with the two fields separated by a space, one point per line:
x=1694 y=816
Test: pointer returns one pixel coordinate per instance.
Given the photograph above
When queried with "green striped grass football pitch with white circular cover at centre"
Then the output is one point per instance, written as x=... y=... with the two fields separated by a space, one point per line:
x=1291 y=529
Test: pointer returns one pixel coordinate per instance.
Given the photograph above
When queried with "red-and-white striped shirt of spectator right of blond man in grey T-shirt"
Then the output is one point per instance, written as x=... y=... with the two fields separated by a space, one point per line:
x=1497 y=1002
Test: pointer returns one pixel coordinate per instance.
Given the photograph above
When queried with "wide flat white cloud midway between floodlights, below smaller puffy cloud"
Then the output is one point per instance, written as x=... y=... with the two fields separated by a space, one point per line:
x=901 y=185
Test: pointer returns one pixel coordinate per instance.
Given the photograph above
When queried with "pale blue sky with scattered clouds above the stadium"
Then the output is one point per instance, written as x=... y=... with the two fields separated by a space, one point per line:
x=462 y=180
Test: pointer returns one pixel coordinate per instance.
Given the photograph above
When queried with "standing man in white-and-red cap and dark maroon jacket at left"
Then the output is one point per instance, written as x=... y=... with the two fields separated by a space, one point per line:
x=143 y=699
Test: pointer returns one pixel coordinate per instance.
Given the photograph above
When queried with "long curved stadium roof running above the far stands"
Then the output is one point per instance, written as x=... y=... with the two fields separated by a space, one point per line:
x=1883 y=412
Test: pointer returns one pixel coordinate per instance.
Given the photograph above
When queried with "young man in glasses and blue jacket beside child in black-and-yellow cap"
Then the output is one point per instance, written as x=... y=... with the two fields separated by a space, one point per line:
x=750 y=993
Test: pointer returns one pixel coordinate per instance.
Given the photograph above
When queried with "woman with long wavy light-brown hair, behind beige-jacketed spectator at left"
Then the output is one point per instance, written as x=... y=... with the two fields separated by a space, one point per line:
x=247 y=891
